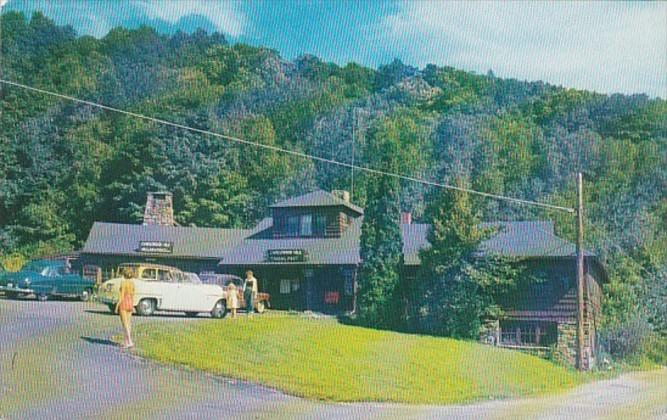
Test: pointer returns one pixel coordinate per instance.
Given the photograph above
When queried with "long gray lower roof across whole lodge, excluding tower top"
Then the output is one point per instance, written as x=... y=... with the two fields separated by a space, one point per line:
x=249 y=247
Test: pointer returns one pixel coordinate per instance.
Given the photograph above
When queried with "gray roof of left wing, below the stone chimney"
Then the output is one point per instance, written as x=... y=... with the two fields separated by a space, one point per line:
x=189 y=242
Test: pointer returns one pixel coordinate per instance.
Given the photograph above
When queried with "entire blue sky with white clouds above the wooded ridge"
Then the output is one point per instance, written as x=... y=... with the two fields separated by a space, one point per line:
x=606 y=47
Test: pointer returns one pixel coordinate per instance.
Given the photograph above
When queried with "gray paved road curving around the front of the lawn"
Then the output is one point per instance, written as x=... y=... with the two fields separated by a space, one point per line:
x=56 y=361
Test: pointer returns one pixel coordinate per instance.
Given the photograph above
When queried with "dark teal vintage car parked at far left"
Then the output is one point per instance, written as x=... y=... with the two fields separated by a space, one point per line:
x=45 y=279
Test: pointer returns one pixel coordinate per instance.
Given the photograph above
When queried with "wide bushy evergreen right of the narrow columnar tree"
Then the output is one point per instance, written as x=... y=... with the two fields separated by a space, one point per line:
x=456 y=287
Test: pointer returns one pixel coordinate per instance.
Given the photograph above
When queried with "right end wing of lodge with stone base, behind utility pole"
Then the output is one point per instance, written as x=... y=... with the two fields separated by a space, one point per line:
x=541 y=316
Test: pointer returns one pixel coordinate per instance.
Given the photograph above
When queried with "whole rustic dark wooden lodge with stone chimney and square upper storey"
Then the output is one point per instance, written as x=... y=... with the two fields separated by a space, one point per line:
x=306 y=255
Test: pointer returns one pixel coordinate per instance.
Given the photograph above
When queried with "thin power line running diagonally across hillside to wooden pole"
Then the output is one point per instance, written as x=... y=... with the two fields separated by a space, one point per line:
x=292 y=152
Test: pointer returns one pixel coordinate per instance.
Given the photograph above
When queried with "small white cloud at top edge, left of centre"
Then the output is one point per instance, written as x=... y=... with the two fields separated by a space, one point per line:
x=225 y=16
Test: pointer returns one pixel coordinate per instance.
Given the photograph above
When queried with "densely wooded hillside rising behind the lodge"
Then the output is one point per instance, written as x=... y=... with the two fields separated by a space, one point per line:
x=65 y=165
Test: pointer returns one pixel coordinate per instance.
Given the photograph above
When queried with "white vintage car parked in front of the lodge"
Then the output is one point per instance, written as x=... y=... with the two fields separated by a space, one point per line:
x=164 y=288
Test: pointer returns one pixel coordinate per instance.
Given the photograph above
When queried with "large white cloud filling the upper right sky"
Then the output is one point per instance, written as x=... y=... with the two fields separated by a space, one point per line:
x=607 y=47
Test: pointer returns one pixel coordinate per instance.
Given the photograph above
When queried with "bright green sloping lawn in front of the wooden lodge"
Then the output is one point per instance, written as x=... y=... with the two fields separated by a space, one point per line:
x=325 y=360
